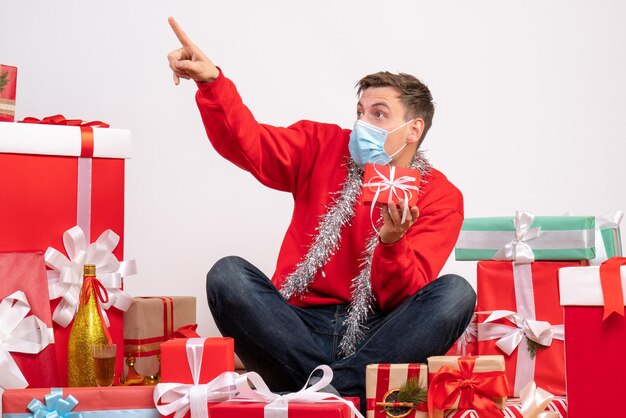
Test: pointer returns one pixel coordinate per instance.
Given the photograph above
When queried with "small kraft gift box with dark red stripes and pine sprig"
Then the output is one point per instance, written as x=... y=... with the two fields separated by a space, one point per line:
x=380 y=379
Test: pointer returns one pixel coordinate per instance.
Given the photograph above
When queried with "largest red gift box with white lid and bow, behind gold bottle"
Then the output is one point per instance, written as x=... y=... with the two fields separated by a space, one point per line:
x=53 y=179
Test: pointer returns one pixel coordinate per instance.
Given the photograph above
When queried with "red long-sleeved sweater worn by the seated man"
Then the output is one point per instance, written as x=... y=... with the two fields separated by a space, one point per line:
x=306 y=160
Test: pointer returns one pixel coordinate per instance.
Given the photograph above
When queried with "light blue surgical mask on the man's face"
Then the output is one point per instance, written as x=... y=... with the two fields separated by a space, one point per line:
x=367 y=143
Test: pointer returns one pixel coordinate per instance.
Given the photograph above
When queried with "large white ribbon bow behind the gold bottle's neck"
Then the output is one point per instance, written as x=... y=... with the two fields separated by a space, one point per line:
x=66 y=277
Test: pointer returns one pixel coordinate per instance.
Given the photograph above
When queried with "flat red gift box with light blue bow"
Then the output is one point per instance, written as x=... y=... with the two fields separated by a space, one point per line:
x=85 y=402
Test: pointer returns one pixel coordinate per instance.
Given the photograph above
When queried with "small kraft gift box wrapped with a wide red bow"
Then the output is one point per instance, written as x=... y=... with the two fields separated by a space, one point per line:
x=448 y=387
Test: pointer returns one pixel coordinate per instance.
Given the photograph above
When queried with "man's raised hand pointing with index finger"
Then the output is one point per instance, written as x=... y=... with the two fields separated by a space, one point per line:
x=189 y=62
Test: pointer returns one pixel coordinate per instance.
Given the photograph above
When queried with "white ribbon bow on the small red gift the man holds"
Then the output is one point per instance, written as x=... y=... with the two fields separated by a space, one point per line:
x=402 y=184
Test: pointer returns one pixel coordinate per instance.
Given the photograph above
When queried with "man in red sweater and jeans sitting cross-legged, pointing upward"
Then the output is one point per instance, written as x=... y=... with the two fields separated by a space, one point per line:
x=341 y=294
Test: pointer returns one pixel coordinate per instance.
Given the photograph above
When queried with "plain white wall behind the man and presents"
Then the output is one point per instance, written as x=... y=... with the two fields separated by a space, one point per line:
x=530 y=95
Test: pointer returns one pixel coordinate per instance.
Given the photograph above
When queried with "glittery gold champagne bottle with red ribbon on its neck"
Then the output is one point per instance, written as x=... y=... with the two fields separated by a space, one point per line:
x=88 y=329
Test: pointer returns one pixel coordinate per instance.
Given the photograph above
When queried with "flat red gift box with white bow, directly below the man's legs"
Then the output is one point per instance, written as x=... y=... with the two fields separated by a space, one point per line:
x=238 y=409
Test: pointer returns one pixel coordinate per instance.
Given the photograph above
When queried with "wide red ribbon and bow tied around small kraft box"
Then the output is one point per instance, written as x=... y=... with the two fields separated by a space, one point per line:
x=474 y=390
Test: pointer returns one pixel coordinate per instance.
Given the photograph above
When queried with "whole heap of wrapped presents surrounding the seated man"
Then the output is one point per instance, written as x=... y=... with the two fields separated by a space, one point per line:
x=545 y=340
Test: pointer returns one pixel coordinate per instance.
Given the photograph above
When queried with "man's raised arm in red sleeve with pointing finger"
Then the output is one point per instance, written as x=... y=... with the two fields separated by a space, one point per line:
x=276 y=156
